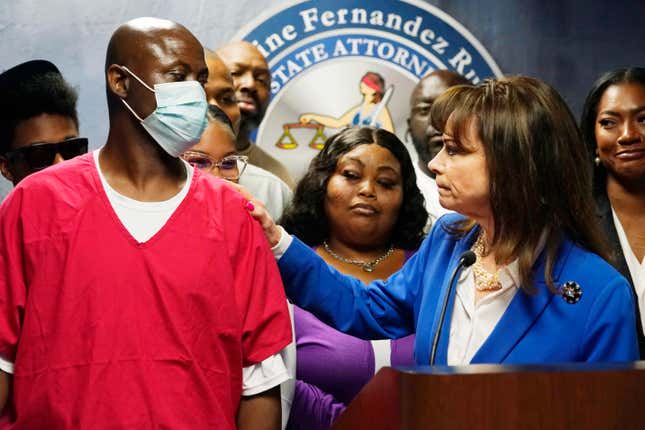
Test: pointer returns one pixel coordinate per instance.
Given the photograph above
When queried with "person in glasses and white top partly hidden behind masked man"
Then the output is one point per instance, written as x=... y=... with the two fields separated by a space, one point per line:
x=215 y=154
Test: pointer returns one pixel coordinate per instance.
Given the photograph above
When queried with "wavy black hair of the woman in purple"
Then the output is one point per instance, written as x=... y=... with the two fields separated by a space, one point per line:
x=306 y=217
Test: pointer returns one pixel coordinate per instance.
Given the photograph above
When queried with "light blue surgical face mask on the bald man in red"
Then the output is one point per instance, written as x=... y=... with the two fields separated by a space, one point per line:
x=180 y=117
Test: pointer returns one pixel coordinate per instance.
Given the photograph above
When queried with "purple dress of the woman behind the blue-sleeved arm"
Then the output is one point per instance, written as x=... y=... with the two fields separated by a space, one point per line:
x=331 y=369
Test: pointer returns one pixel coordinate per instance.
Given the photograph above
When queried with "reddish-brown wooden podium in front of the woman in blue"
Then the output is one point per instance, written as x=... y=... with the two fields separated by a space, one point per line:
x=568 y=396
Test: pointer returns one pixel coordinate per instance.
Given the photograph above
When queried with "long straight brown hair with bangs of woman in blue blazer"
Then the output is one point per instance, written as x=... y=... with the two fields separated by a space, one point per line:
x=540 y=180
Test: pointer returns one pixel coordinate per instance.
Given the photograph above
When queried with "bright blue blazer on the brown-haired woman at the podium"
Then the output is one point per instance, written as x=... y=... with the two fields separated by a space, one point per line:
x=535 y=328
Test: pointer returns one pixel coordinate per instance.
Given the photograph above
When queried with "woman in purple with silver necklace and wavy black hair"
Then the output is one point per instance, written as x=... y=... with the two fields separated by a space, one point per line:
x=359 y=207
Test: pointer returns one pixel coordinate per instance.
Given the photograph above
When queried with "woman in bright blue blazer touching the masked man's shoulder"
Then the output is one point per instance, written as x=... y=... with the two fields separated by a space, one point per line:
x=514 y=165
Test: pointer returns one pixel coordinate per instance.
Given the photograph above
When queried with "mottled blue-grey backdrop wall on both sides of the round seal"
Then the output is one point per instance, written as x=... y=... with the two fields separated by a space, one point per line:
x=567 y=43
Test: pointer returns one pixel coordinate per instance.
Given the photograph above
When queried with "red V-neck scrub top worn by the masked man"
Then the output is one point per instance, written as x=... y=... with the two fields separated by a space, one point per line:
x=106 y=332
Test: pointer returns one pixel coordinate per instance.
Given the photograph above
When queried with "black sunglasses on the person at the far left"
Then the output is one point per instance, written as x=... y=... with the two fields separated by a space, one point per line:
x=42 y=154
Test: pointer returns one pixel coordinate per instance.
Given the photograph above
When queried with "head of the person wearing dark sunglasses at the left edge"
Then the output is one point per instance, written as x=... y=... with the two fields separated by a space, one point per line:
x=38 y=120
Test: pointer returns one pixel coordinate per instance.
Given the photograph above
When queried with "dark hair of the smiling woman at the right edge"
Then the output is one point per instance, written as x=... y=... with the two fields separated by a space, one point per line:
x=634 y=75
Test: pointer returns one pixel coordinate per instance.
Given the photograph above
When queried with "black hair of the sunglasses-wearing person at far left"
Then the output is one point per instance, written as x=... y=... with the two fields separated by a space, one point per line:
x=29 y=90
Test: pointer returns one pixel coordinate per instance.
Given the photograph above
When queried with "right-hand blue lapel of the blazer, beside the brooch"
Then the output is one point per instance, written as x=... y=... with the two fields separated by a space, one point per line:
x=521 y=313
